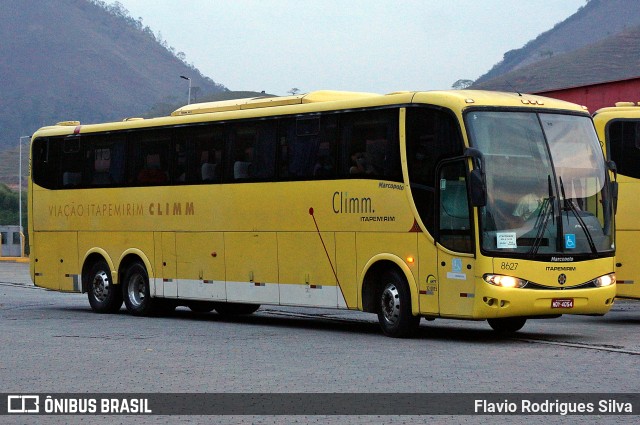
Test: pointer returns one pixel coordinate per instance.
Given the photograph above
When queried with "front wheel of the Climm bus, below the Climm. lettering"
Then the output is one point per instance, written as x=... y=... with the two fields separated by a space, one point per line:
x=394 y=313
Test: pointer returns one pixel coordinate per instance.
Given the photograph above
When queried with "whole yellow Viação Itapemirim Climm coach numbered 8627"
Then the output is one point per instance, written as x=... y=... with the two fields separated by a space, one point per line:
x=462 y=204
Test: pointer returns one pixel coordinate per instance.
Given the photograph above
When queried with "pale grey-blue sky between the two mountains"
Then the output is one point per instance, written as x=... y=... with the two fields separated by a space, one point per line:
x=378 y=46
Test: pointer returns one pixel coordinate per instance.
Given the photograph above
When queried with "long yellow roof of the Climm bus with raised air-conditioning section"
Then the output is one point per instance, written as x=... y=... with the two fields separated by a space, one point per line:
x=324 y=100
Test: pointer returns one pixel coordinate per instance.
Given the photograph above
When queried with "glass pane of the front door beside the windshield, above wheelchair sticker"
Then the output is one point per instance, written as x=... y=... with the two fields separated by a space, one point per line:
x=454 y=231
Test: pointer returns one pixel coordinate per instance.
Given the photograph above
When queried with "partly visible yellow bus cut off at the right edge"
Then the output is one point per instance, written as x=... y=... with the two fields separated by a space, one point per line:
x=619 y=128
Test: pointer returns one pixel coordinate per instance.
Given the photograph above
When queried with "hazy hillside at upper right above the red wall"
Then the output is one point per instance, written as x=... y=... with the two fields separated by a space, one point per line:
x=599 y=43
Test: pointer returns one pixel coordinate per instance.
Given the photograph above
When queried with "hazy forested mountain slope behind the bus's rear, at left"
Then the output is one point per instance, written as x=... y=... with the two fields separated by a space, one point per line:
x=83 y=60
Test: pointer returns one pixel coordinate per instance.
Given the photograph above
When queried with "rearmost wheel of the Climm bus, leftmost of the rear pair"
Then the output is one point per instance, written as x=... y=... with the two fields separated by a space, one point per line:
x=104 y=296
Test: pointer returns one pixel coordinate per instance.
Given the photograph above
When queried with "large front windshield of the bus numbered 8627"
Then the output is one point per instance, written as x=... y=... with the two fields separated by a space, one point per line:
x=547 y=191
